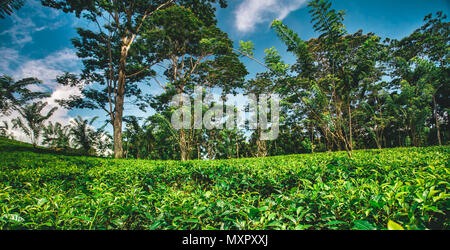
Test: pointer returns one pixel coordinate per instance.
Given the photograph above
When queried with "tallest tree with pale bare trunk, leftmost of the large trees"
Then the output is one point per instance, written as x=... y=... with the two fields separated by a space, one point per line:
x=117 y=48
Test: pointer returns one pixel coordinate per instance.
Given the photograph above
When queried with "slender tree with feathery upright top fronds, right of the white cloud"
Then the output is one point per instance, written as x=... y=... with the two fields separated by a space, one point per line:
x=331 y=71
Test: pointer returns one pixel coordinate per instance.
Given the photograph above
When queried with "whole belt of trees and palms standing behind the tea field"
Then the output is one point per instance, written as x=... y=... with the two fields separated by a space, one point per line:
x=346 y=91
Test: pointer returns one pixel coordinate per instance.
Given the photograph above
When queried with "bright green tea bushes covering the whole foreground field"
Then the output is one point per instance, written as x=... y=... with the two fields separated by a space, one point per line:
x=404 y=187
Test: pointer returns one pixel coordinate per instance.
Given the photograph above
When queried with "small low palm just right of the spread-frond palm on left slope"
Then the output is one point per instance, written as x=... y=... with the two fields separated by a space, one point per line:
x=56 y=136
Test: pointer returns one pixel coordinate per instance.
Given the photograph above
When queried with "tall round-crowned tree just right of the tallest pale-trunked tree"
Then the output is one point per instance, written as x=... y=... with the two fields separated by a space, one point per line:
x=197 y=53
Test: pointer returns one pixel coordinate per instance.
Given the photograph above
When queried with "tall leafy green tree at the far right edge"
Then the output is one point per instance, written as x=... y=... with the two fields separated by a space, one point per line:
x=420 y=64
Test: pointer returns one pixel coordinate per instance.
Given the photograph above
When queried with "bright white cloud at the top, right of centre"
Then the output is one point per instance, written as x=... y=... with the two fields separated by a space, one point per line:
x=252 y=12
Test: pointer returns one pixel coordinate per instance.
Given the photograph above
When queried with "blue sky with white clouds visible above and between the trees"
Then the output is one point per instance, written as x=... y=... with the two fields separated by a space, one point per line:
x=35 y=41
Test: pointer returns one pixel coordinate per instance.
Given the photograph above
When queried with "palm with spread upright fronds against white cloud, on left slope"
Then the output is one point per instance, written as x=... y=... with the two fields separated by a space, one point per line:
x=33 y=120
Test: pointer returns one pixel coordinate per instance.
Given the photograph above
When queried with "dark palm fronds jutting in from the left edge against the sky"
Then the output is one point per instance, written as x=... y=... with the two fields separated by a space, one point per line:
x=14 y=93
